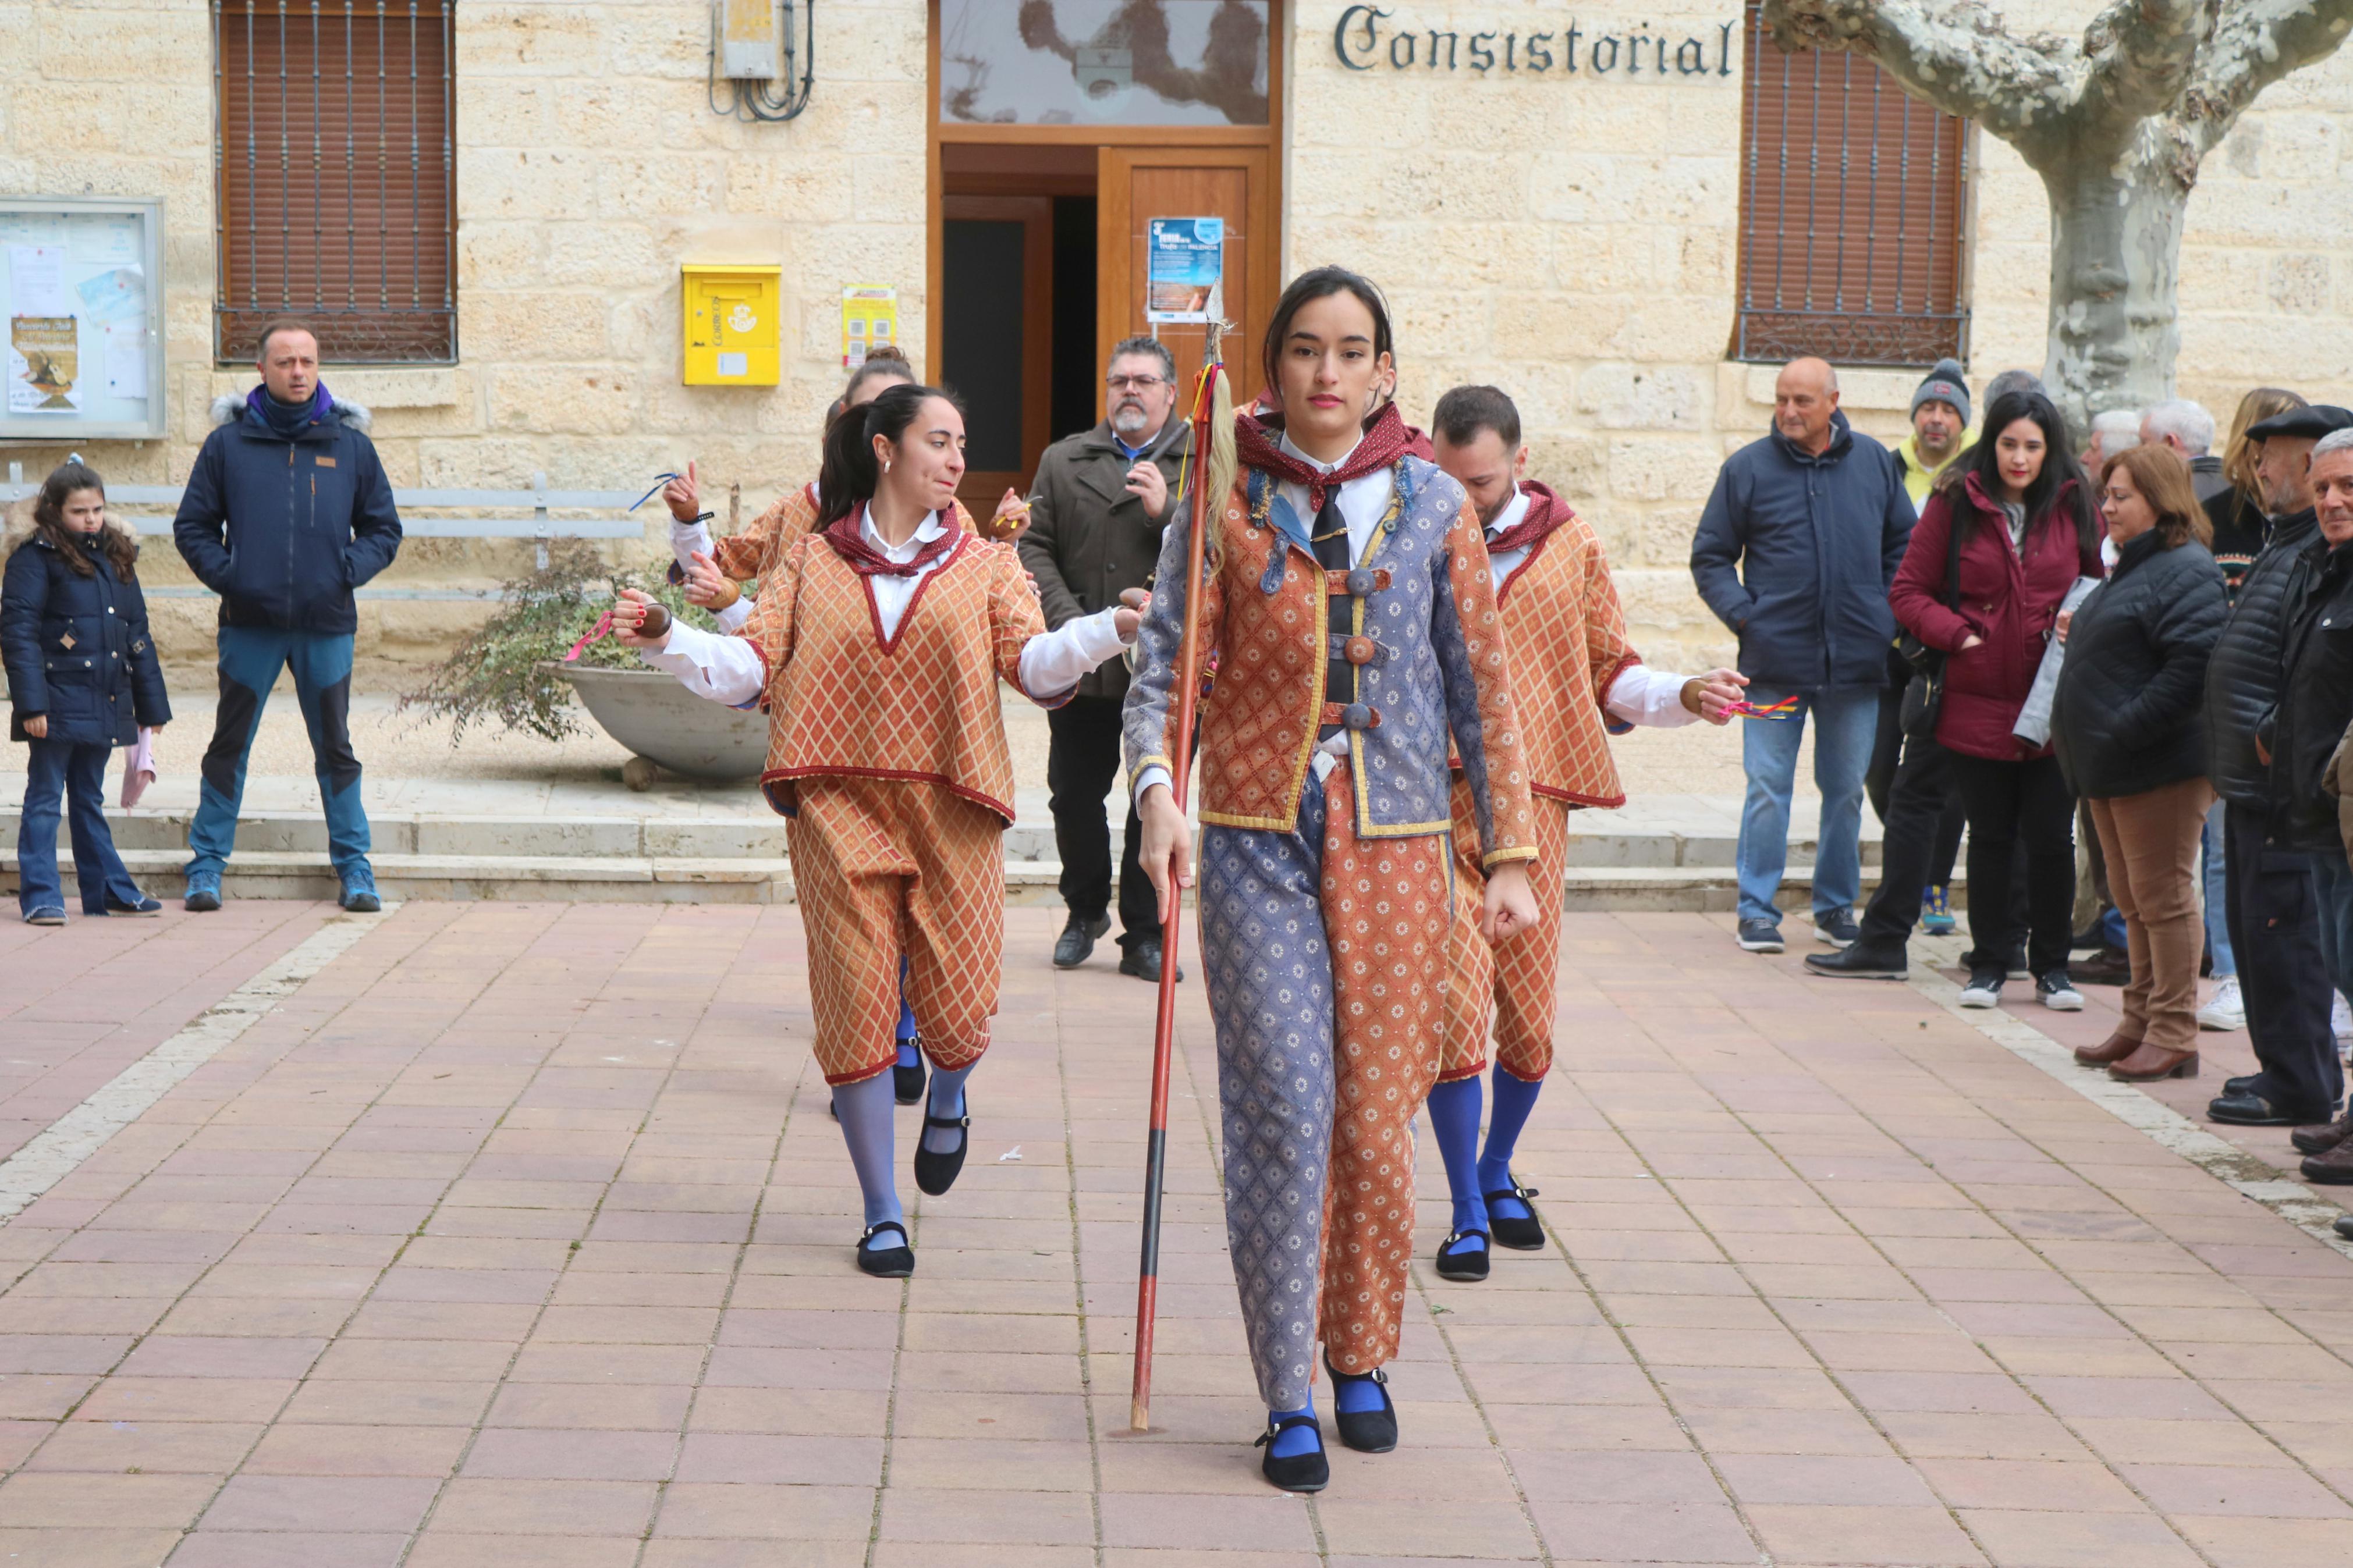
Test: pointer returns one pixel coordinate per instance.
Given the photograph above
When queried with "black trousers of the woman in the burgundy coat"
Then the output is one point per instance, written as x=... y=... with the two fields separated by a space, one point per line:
x=2020 y=805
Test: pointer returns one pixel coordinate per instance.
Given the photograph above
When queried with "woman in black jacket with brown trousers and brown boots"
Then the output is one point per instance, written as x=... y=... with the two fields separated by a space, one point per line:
x=2131 y=730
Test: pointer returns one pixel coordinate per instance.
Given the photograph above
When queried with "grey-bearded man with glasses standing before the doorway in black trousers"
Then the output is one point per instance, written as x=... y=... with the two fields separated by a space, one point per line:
x=1098 y=514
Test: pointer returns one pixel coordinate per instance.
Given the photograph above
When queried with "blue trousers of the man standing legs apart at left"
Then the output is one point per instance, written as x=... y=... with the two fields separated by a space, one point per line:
x=251 y=662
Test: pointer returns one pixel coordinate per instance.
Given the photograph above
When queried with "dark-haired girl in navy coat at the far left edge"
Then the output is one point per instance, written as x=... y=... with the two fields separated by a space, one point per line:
x=84 y=678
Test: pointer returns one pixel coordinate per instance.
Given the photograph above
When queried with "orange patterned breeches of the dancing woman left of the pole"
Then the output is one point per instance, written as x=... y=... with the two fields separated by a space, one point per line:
x=893 y=869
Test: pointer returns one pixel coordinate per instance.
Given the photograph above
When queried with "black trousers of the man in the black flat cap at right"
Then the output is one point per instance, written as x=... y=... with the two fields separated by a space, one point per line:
x=2284 y=977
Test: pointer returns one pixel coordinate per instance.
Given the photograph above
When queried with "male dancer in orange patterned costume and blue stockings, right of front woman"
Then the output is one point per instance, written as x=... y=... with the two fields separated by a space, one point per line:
x=1573 y=676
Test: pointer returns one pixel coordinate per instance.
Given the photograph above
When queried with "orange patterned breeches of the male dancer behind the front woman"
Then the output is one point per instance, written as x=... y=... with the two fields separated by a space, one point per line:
x=1514 y=986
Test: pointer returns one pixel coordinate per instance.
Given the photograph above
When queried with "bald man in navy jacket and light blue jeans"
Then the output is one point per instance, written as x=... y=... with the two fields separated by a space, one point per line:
x=1794 y=554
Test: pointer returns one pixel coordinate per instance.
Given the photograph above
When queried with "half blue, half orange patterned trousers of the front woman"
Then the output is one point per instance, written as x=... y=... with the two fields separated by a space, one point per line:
x=1326 y=958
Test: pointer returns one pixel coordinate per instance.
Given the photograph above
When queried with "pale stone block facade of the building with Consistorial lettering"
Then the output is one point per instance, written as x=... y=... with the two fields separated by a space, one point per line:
x=1571 y=239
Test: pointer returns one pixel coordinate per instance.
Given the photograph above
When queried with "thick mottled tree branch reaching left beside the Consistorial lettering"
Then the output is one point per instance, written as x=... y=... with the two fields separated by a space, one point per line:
x=1954 y=55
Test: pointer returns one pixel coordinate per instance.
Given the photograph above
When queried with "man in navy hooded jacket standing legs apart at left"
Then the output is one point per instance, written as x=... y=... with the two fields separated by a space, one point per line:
x=284 y=516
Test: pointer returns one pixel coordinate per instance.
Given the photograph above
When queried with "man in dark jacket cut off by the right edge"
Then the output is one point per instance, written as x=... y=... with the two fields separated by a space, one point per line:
x=2317 y=704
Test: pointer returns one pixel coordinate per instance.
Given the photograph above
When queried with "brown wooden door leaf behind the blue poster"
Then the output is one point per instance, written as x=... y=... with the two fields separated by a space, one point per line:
x=1138 y=185
